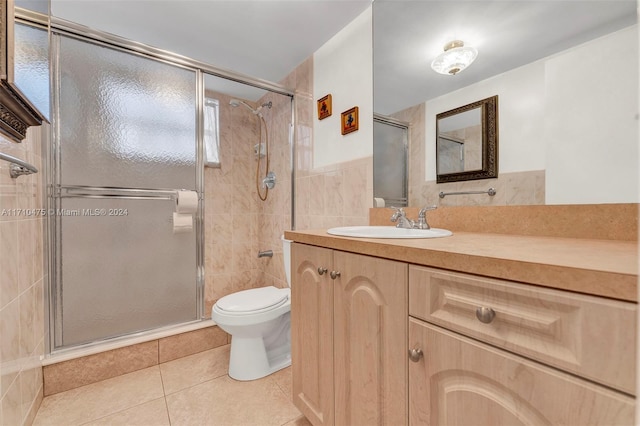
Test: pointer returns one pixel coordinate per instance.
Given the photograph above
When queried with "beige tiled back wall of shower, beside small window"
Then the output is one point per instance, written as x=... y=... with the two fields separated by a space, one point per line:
x=230 y=206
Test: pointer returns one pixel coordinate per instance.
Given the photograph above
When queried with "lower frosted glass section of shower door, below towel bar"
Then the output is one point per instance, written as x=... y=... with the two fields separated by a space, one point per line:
x=123 y=269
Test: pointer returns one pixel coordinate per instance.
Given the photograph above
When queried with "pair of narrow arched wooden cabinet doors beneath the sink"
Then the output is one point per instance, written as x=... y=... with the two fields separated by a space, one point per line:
x=349 y=333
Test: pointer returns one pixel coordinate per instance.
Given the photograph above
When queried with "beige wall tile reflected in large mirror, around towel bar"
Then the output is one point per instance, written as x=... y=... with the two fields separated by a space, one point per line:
x=516 y=188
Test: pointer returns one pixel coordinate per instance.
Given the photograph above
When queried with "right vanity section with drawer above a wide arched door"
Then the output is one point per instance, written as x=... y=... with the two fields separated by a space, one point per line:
x=493 y=352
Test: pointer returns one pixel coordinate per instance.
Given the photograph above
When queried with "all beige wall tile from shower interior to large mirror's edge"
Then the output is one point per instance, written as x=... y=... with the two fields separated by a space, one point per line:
x=238 y=224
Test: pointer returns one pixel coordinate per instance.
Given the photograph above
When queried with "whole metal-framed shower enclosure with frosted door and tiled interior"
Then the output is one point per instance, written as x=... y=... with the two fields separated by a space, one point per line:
x=129 y=126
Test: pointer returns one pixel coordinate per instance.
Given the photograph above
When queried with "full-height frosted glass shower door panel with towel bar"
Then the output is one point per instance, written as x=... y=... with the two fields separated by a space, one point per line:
x=126 y=140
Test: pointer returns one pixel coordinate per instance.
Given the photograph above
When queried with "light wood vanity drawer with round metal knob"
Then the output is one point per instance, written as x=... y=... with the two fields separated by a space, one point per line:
x=590 y=336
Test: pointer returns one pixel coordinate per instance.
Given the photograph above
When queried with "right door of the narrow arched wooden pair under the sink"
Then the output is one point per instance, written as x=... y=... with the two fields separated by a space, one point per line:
x=370 y=331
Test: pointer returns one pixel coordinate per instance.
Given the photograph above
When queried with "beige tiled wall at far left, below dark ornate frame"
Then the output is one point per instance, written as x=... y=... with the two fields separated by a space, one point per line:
x=22 y=275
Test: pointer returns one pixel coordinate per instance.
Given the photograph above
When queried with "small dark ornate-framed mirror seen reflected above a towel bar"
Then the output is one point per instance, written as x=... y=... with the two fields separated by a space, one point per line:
x=467 y=142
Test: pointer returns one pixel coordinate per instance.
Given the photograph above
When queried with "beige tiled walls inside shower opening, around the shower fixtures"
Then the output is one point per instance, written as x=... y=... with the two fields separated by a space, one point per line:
x=237 y=223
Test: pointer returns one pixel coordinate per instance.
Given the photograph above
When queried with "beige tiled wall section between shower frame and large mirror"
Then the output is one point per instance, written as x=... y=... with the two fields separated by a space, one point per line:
x=336 y=195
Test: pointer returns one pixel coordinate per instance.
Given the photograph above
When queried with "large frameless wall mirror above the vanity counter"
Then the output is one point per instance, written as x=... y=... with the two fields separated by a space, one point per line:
x=568 y=113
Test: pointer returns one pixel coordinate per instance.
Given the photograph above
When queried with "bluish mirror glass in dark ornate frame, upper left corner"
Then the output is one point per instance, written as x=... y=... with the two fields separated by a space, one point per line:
x=31 y=64
